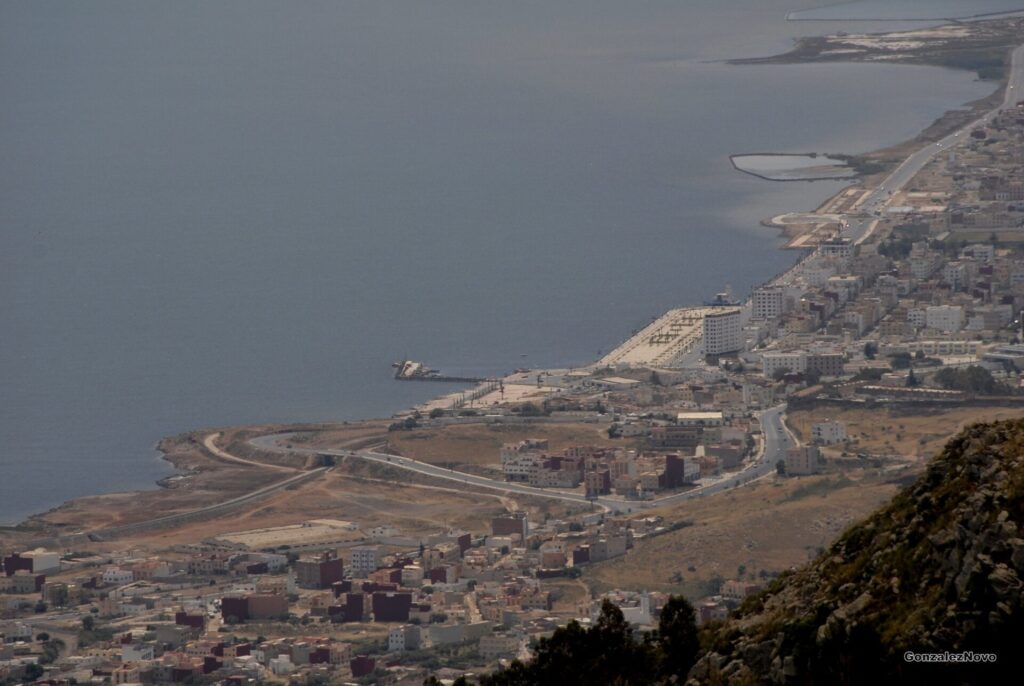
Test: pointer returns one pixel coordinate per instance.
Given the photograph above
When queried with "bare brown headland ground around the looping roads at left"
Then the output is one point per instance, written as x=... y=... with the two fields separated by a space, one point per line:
x=370 y=495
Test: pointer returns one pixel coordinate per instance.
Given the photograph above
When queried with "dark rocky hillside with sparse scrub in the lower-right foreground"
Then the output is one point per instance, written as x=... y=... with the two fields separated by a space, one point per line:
x=940 y=570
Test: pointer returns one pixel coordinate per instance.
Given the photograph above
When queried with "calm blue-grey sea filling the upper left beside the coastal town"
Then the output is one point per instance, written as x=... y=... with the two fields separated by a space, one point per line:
x=219 y=213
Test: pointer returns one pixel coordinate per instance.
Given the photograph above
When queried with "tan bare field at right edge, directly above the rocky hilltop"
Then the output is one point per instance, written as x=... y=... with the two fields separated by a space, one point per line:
x=886 y=432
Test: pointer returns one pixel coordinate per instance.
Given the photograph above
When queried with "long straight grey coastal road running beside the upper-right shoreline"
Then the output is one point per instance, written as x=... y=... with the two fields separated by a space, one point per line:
x=863 y=226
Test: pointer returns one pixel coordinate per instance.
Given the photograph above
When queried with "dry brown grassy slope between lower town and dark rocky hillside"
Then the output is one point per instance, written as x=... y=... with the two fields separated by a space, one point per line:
x=771 y=526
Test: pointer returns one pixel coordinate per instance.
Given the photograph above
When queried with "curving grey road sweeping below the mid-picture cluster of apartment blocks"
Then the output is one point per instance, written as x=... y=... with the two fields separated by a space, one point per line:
x=777 y=441
